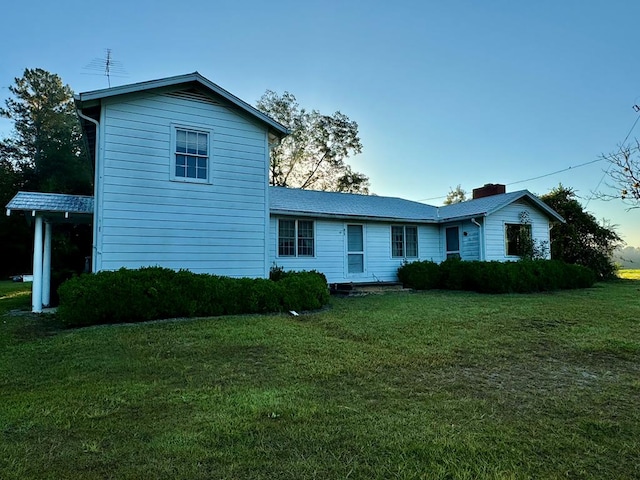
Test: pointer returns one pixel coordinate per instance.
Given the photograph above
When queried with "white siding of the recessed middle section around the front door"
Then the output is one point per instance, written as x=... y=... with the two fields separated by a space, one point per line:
x=330 y=251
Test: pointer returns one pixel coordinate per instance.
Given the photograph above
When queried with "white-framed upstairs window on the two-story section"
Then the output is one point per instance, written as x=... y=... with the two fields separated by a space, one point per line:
x=190 y=155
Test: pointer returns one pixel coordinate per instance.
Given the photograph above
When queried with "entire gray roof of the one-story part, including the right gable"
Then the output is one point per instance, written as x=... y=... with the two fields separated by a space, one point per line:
x=345 y=205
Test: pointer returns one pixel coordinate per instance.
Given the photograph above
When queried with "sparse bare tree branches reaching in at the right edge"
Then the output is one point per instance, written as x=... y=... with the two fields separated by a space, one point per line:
x=624 y=170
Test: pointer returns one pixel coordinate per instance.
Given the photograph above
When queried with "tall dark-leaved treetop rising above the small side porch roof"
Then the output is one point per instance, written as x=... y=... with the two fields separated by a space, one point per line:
x=46 y=146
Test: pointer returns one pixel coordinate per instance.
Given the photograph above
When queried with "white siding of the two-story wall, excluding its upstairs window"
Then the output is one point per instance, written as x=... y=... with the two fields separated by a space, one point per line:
x=146 y=219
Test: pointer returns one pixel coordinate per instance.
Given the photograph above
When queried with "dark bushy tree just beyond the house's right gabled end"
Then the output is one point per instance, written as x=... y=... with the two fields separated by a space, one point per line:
x=582 y=239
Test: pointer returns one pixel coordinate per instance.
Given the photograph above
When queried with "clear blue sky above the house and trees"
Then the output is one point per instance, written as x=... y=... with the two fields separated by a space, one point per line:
x=445 y=93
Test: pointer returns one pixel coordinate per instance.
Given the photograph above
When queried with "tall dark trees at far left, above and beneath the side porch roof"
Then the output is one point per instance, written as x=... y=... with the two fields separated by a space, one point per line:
x=44 y=153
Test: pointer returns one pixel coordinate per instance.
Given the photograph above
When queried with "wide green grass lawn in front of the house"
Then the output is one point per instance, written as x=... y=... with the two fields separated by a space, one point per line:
x=393 y=386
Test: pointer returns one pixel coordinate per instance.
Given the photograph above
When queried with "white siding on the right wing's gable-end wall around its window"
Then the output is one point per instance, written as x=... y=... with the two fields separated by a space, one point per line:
x=495 y=228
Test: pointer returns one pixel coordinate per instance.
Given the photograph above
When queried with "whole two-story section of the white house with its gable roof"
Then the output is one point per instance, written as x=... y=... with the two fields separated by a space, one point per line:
x=181 y=177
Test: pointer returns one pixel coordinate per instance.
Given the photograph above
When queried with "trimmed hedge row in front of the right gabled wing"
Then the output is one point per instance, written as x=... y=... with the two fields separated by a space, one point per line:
x=525 y=276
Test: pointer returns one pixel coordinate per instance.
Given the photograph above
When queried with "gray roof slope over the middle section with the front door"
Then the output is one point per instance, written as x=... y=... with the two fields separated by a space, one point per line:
x=332 y=204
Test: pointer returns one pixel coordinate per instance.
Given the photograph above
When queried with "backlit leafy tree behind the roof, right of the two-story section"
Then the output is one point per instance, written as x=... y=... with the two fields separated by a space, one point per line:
x=314 y=155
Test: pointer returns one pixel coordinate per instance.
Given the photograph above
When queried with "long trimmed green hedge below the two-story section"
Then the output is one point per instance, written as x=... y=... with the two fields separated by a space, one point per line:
x=153 y=293
